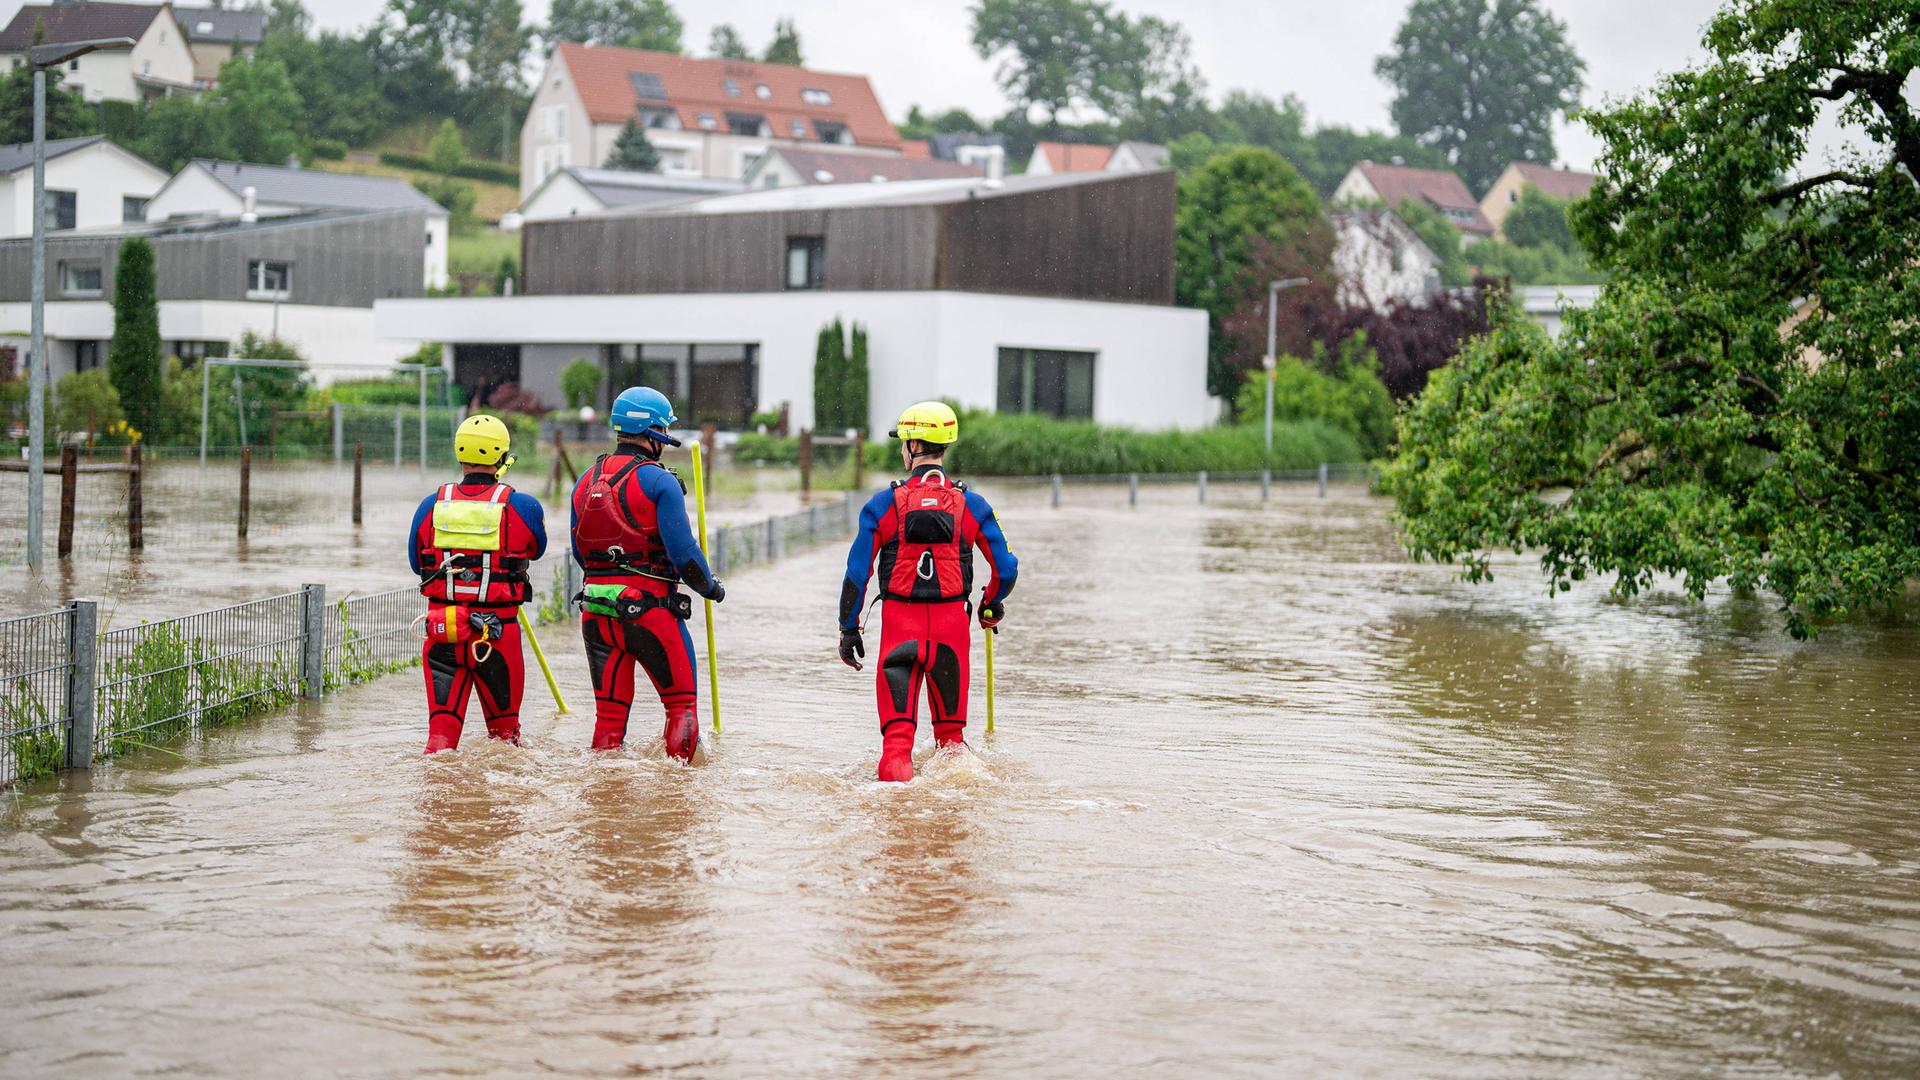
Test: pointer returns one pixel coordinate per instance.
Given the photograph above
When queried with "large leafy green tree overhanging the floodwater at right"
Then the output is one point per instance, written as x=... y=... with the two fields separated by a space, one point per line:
x=1742 y=401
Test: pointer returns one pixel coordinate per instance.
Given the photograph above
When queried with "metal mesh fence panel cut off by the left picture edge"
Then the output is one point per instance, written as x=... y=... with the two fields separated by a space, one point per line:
x=34 y=699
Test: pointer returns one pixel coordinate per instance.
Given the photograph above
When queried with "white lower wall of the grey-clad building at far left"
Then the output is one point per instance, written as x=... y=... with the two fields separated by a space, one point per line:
x=324 y=335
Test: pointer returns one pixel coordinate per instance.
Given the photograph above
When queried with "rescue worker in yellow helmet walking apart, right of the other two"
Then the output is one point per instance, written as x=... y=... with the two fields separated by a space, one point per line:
x=923 y=531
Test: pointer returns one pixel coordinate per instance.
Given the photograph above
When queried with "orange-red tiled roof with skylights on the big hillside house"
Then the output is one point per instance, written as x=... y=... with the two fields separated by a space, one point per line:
x=602 y=76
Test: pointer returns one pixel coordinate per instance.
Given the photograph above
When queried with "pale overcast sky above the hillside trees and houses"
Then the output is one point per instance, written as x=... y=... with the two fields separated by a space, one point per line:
x=919 y=51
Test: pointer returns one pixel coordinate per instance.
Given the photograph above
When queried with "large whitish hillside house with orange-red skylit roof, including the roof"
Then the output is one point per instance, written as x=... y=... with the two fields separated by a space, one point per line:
x=708 y=118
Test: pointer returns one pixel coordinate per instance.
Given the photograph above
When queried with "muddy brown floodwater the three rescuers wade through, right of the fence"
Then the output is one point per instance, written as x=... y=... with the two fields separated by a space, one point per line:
x=1264 y=800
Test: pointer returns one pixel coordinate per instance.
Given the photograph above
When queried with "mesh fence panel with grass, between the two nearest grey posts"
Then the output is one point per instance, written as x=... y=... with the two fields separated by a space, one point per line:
x=160 y=681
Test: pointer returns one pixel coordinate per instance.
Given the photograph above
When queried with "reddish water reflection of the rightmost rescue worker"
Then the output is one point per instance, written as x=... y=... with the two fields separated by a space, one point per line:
x=907 y=925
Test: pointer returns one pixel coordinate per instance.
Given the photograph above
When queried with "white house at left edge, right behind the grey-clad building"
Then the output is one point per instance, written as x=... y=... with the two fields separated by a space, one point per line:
x=91 y=184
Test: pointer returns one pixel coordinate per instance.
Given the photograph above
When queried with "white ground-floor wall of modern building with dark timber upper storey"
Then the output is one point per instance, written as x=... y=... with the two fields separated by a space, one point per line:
x=1151 y=368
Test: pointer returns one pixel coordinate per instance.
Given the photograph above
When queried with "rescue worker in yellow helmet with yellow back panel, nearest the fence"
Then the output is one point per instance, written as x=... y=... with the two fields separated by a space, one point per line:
x=471 y=543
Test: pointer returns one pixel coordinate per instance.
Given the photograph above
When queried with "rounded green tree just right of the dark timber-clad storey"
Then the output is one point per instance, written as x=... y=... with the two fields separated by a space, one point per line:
x=1245 y=218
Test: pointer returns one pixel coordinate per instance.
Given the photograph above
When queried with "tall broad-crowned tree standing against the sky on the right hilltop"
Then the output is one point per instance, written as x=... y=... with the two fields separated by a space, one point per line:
x=1481 y=82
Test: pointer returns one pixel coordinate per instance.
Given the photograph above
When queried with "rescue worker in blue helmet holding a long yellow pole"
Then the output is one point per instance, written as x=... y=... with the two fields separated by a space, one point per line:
x=633 y=539
